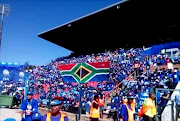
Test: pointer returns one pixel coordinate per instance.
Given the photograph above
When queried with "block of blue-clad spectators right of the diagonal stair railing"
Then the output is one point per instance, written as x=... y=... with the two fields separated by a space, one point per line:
x=147 y=80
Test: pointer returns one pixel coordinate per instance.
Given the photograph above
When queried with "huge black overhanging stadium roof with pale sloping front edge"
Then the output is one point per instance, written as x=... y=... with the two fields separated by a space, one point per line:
x=126 y=24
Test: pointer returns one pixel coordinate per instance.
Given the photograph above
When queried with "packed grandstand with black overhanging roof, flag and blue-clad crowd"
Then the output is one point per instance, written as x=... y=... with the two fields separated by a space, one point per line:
x=133 y=36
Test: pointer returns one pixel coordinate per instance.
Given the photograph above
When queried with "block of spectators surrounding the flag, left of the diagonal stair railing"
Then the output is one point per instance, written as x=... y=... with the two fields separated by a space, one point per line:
x=46 y=80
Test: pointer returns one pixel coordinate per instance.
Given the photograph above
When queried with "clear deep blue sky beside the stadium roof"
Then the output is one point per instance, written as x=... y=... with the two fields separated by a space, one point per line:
x=27 y=18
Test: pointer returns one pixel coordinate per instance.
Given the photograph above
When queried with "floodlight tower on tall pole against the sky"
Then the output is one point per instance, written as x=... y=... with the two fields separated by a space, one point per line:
x=4 y=11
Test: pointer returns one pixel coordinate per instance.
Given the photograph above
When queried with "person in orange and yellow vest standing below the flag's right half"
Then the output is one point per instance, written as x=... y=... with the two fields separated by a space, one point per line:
x=95 y=109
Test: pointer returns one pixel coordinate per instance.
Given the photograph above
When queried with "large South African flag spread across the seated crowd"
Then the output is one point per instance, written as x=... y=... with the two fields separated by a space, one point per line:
x=84 y=72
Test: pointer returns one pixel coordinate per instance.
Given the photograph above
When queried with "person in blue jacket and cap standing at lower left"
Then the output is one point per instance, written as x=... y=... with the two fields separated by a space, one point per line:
x=29 y=106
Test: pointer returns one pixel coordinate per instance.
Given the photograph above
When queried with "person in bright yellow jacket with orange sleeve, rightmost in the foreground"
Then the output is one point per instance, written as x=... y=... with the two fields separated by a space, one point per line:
x=148 y=109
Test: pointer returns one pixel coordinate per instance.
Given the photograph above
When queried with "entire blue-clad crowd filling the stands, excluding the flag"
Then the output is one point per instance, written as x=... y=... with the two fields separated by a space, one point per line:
x=46 y=82
